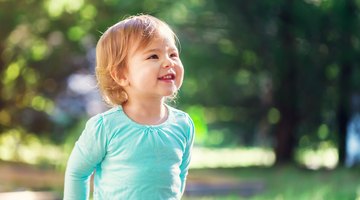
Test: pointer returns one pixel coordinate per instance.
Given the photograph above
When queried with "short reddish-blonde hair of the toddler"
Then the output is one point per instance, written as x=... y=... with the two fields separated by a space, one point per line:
x=114 y=47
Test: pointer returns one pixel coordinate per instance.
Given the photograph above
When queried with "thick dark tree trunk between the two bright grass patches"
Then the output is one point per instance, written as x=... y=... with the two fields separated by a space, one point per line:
x=285 y=91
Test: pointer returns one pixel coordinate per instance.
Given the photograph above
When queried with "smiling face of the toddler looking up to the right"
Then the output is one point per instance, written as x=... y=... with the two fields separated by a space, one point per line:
x=155 y=71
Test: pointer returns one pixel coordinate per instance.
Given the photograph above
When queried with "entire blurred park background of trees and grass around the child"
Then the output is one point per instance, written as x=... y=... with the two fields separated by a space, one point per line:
x=272 y=86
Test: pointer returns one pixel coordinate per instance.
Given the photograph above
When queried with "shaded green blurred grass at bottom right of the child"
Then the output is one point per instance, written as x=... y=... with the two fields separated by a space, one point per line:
x=290 y=182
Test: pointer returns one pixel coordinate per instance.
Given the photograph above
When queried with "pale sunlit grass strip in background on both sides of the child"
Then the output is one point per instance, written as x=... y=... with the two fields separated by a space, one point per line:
x=15 y=145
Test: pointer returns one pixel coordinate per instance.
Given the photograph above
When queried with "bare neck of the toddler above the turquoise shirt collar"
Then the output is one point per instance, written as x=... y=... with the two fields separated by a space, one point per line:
x=146 y=112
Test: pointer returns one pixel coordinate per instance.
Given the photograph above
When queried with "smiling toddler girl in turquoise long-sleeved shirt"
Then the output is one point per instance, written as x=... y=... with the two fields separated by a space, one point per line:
x=141 y=147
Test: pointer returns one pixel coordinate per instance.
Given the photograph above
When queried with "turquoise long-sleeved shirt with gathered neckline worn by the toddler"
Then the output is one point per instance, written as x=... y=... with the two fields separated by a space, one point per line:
x=131 y=161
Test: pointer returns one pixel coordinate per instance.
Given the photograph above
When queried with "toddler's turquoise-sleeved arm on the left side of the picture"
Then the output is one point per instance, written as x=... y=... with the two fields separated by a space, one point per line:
x=88 y=152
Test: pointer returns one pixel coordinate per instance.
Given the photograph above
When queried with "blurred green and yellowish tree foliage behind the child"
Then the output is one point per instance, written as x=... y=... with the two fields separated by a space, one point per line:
x=276 y=73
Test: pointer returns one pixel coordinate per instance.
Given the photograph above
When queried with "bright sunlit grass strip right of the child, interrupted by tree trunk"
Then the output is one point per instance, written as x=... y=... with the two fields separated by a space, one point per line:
x=255 y=156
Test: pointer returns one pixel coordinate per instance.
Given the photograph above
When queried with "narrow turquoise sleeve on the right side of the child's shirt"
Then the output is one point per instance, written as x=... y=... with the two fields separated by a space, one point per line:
x=184 y=167
